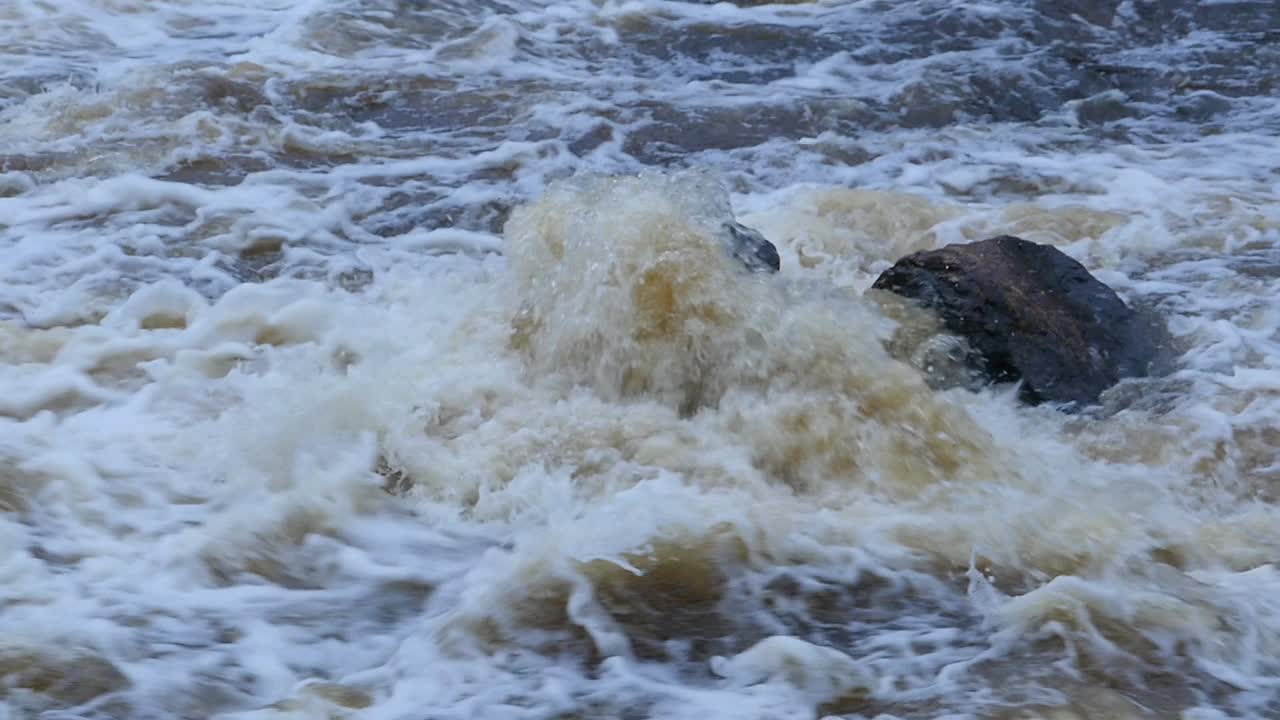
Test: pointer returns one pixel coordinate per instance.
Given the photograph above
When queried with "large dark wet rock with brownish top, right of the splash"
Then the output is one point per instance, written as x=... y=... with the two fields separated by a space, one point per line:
x=1031 y=313
